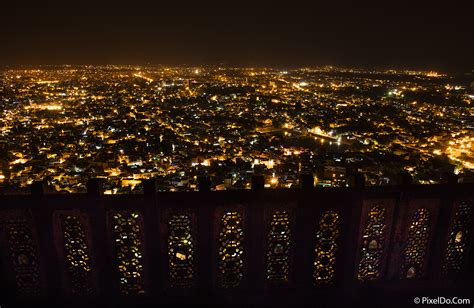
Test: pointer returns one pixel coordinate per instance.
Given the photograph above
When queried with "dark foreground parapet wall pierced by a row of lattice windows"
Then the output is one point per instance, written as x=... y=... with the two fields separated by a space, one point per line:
x=332 y=247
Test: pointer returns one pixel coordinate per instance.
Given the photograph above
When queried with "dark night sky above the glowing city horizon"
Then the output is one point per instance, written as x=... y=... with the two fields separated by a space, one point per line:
x=385 y=34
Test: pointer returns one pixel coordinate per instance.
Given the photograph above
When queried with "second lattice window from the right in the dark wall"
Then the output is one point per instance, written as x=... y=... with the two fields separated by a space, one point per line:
x=417 y=243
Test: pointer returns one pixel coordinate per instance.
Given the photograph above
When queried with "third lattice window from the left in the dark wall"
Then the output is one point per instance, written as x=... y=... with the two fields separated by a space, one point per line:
x=127 y=237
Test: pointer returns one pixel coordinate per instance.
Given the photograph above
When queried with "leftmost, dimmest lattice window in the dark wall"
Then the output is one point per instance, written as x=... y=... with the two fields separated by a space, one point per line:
x=23 y=251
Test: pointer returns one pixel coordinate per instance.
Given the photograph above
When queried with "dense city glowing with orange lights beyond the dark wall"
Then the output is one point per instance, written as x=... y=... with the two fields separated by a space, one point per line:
x=67 y=124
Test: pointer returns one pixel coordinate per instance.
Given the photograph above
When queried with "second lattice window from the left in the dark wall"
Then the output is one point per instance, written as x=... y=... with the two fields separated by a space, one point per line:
x=76 y=251
